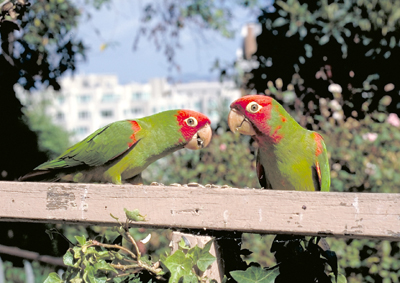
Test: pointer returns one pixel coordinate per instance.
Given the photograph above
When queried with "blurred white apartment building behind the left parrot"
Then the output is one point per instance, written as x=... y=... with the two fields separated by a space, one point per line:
x=88 y=102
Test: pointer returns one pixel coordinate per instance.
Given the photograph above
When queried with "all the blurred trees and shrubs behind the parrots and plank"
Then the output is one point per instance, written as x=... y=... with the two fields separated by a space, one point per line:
x=332 y=64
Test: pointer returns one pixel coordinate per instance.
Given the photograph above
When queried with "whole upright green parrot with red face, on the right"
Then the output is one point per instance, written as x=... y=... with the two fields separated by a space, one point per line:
x=289 y=157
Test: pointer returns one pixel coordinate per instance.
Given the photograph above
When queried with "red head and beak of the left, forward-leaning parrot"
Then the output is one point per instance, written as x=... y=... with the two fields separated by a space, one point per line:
x=195 y=128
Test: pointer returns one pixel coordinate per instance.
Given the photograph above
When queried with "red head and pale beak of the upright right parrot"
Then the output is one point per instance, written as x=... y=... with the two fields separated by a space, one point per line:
x=249 y=115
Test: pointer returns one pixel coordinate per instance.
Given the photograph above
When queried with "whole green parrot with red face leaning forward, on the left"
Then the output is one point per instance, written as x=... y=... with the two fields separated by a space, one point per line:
x=120 y=151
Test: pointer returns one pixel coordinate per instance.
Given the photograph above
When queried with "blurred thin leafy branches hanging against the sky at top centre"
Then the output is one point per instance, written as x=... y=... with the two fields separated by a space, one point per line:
x=163 y=21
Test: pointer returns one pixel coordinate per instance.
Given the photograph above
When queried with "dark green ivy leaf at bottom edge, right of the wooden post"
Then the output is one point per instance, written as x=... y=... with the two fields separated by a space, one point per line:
x=255 y=274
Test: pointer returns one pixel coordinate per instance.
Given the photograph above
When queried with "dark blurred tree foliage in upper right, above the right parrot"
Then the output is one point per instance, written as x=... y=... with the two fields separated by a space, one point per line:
x=309 y=46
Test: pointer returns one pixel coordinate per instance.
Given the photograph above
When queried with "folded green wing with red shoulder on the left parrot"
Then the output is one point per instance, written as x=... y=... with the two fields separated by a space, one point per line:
x=100 y=147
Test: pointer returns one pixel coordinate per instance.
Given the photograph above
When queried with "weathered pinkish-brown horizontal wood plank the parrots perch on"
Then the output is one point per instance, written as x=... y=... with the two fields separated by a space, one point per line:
x=354 y=215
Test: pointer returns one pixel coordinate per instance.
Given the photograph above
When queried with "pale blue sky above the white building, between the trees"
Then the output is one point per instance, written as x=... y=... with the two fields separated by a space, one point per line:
x=118 y=25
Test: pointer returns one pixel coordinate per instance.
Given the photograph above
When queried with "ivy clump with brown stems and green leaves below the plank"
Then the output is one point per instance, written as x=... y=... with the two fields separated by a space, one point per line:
x=110 y=261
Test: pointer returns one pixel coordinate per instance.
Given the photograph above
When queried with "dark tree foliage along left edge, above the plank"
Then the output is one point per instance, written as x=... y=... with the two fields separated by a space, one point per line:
x=40 y=52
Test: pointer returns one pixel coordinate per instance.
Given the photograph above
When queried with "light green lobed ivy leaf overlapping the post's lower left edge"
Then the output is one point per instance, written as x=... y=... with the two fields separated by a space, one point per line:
x=179 y=265
